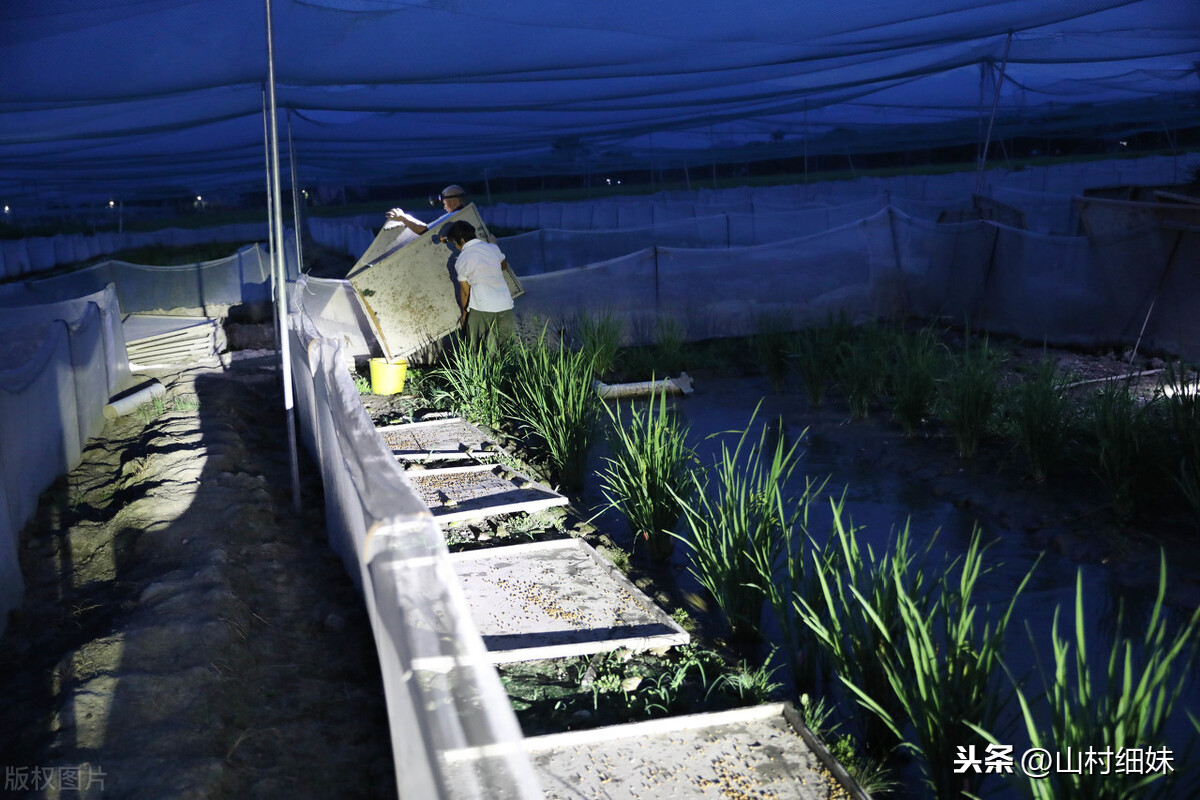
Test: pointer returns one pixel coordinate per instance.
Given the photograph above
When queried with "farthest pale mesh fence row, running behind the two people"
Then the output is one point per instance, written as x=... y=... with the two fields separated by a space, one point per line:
x=577 y=234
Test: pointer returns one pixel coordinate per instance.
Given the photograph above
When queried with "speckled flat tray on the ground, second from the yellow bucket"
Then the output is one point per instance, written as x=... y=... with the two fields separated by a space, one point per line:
x=461 y=494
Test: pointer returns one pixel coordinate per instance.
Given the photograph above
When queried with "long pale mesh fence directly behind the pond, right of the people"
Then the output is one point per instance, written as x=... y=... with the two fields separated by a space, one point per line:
x=1066 y=291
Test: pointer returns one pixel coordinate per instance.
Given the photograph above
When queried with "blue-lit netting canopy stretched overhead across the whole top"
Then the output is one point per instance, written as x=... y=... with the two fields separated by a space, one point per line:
x=107 y=100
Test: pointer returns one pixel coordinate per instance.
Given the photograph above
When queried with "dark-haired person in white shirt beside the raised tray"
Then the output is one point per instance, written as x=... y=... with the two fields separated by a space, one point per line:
x=483 y=292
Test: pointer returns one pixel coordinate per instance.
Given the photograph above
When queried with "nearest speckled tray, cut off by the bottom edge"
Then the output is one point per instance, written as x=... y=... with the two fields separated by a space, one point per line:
x=758 y=753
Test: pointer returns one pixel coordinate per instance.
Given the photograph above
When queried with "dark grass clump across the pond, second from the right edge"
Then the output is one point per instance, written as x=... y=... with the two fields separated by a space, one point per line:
x=1119 y=429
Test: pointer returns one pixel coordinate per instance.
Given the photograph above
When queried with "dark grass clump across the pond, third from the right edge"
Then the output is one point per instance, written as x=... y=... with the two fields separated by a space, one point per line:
x=1042 y=416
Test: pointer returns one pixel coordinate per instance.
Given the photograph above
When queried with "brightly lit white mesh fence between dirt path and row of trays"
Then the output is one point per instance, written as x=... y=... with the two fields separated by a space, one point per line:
x=453 y=730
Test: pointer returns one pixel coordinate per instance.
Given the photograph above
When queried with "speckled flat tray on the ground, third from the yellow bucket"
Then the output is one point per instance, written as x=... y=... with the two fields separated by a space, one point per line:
x=559 y=599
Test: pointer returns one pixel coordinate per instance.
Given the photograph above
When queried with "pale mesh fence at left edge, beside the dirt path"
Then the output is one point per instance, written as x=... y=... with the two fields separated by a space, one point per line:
x=59 y=365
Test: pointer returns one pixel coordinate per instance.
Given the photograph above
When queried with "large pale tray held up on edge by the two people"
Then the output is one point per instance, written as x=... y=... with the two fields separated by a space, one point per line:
x=411 y=293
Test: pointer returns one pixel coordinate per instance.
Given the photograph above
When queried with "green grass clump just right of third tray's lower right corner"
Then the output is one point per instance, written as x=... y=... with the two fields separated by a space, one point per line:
x=739 y=530
